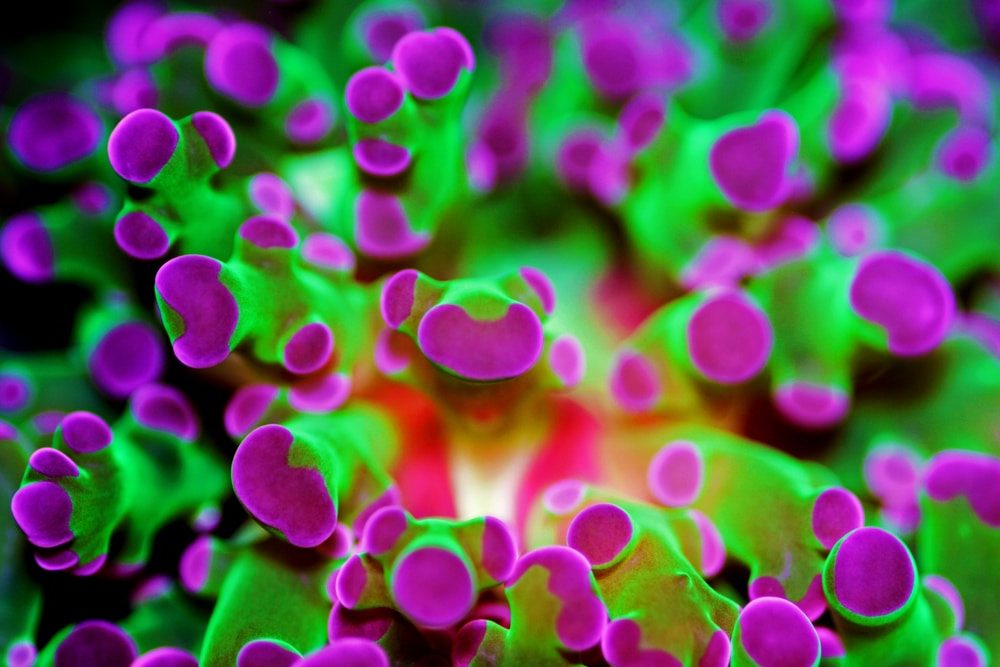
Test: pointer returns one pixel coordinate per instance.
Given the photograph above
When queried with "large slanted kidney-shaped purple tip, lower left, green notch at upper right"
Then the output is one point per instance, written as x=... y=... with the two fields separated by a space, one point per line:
x=292 y=500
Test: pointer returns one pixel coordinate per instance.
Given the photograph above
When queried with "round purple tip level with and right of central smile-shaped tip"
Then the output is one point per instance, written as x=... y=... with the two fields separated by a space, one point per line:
x=729 y=338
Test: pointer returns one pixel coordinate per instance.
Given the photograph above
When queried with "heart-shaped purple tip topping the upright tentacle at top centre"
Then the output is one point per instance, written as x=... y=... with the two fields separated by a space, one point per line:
x=429 y=63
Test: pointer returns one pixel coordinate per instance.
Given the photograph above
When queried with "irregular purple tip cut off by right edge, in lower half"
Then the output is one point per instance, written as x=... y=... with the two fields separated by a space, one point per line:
x=970 y=474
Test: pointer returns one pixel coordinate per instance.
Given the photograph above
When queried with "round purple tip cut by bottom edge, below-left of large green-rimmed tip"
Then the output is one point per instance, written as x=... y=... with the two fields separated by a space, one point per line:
x=775 y=633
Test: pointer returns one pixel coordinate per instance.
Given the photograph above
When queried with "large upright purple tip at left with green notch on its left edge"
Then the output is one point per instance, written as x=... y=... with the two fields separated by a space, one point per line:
x=207 y=310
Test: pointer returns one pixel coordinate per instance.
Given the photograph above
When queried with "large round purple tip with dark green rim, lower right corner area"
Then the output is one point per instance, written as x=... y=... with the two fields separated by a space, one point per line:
x=870 y=574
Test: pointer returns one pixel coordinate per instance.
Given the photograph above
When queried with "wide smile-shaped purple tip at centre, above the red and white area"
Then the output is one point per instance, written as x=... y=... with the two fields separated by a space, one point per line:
x=483 y=350
